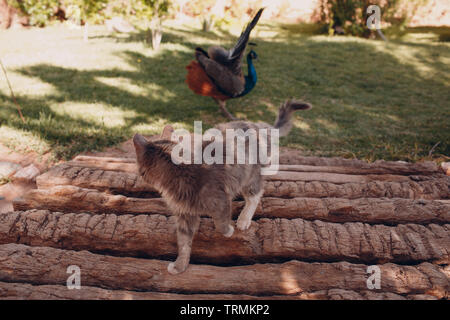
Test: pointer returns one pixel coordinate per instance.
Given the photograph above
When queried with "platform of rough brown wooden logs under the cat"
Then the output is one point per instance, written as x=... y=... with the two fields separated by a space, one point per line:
x=321 y=223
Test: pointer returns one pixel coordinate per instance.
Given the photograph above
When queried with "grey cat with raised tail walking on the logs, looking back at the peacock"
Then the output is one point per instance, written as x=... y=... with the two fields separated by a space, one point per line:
x=193 y=190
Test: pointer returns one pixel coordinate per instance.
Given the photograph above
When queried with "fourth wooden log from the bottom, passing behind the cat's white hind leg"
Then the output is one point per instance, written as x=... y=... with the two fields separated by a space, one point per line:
x=368 y=210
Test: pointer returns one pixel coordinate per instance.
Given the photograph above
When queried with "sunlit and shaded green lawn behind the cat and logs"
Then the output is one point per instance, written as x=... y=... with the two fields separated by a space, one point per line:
x=372 y=100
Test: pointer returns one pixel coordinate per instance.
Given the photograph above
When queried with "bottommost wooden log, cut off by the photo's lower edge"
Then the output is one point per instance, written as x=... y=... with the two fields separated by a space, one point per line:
x=25 y=291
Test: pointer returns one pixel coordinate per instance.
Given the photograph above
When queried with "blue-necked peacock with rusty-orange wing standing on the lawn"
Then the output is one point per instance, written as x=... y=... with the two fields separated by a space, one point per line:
x=218 y=72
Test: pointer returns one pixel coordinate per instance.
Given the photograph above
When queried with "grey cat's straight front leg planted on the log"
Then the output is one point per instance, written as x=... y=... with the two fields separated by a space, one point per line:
x=186 y=227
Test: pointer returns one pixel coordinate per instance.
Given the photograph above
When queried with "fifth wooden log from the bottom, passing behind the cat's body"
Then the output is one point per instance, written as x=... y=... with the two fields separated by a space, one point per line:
x=131 y=184
